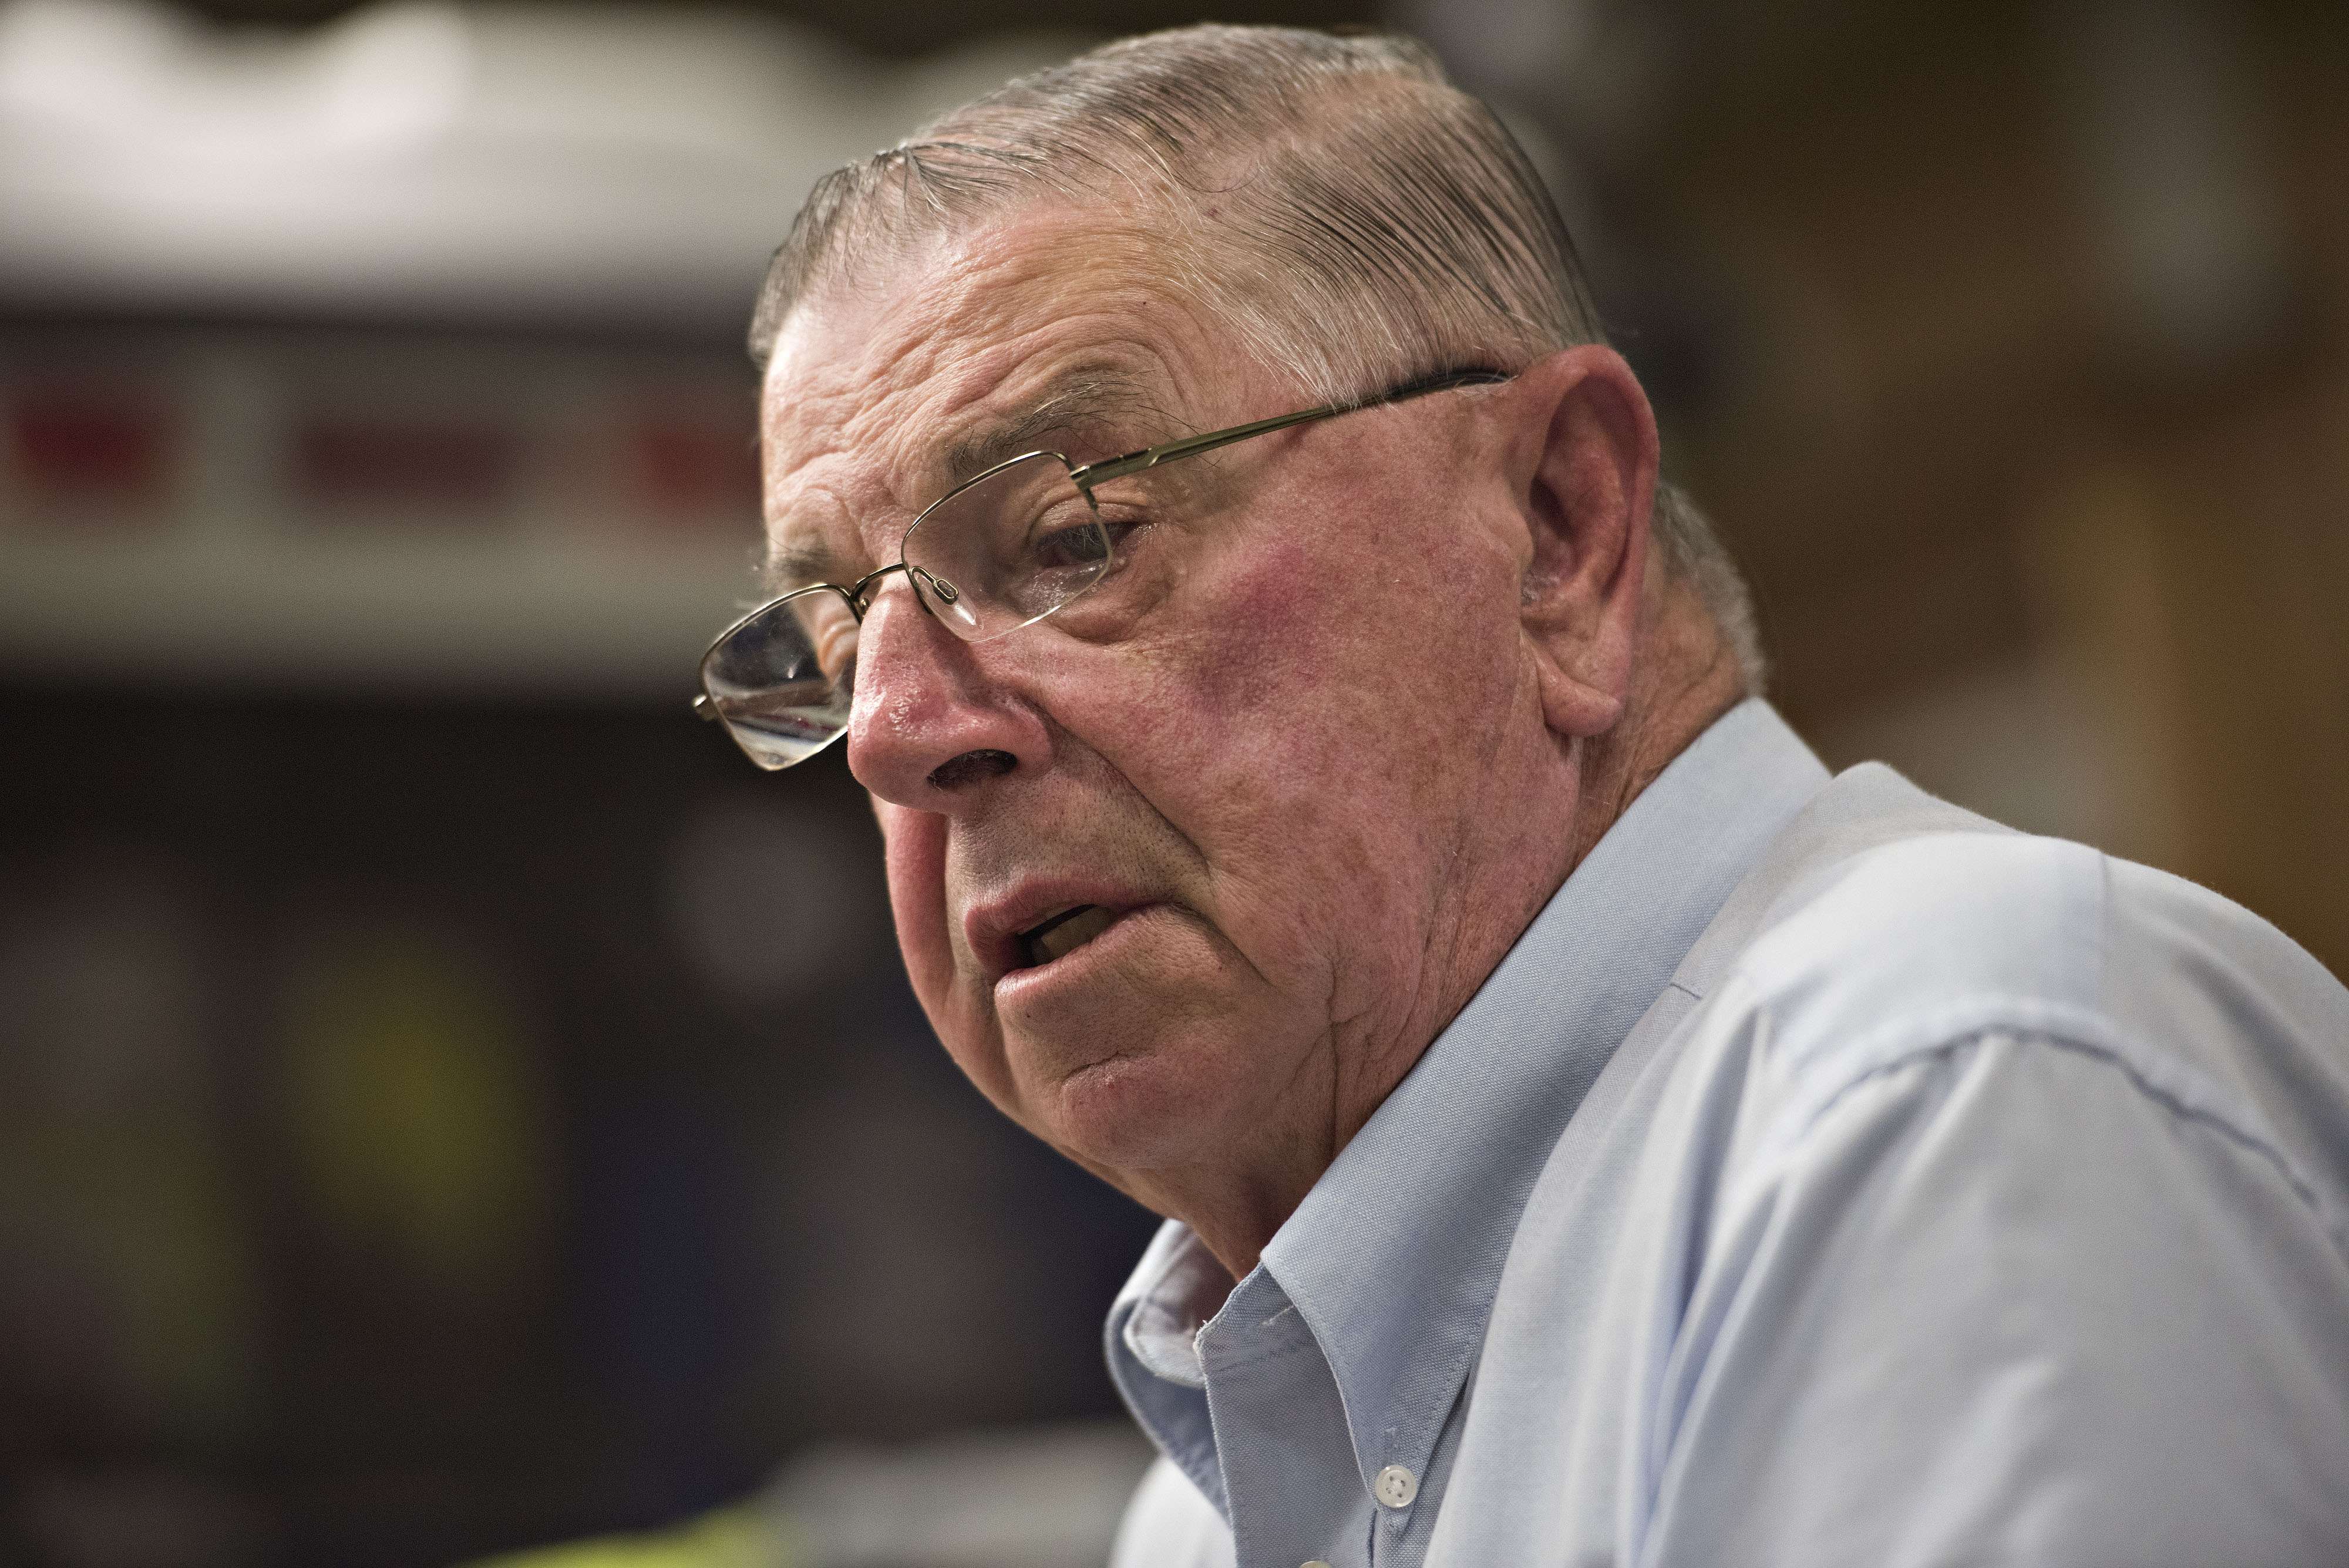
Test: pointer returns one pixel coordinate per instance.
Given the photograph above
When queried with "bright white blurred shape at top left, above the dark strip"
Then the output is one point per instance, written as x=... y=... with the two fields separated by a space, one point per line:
x=426 y=158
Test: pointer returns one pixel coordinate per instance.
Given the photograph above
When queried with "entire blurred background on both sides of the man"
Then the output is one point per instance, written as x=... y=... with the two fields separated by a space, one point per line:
x=447 y=1102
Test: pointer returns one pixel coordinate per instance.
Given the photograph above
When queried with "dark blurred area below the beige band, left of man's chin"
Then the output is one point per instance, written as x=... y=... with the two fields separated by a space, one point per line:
x=440 y=1126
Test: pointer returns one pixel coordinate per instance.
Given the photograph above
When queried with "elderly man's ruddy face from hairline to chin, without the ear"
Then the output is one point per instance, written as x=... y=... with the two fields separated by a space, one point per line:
x=1277 y=780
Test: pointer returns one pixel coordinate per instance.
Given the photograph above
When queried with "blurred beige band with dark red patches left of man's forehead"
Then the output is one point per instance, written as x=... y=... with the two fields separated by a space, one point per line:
x=245 y=557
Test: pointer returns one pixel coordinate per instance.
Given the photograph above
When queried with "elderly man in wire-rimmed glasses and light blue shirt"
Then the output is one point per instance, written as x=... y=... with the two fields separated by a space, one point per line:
x=1328 y=797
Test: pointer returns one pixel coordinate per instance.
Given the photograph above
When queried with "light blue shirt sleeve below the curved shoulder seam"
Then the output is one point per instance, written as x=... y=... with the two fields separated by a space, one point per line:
x=2007 y=1304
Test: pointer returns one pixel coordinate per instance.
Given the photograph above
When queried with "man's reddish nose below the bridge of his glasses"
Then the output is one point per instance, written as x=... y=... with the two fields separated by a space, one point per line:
x=929 y=729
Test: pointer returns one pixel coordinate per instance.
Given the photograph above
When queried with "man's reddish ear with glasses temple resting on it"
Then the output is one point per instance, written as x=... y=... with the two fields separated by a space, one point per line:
x=1582 y=468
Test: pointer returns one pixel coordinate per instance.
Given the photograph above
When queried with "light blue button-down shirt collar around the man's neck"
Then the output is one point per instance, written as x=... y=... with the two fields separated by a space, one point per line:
x=1396 y=1252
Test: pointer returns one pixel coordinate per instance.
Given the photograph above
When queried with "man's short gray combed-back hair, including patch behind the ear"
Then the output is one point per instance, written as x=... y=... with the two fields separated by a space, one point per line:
x=1295 y=182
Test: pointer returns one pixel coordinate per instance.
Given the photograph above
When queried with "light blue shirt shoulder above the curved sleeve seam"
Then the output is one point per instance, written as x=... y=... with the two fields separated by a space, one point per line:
x=1923 y=945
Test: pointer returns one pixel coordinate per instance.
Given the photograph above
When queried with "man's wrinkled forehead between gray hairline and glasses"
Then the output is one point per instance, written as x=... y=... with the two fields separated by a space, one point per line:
x=1046 y=330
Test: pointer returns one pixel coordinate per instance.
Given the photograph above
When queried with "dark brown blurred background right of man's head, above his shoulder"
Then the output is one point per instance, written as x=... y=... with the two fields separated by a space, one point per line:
x=2010 y=346
